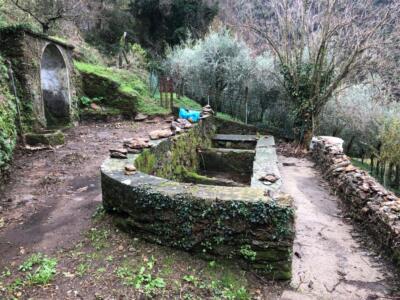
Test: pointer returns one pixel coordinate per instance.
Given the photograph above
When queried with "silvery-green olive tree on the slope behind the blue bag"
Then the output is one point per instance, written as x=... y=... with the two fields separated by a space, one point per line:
x=215 y=68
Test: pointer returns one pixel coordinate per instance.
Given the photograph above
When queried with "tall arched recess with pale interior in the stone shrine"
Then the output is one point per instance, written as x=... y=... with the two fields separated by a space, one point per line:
x=55 y=87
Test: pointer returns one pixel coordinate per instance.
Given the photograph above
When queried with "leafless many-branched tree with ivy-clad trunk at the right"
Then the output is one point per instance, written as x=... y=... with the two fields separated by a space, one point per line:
x=319 y=45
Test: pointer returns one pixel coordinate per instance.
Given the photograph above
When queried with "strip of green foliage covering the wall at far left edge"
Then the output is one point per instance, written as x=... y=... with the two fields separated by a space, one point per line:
x=8 y=131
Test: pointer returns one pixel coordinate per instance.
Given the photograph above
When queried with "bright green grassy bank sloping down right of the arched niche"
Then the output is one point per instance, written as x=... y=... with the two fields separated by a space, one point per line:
x=129 y=83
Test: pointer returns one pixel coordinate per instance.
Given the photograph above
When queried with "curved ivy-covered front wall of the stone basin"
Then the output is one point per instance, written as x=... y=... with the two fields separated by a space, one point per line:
x=242 y=224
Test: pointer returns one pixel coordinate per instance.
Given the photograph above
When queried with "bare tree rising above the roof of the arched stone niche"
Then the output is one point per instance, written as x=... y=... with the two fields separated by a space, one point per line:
x=48 y=12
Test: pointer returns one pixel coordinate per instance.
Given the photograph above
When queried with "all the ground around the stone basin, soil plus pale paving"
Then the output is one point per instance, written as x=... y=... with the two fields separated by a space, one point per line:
x=52 y=205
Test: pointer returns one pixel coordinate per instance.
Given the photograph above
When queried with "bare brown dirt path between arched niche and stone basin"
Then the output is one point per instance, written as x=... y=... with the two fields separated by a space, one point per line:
x=52 y=194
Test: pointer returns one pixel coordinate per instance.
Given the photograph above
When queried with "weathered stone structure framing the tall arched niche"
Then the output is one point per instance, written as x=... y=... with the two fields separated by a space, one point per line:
x=24 y=49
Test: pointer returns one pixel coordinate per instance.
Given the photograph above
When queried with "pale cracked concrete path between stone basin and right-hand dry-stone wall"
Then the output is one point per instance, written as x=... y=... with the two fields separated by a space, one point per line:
x=329 y=259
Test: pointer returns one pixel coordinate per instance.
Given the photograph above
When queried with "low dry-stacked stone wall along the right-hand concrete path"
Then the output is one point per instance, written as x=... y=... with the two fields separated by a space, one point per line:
x=370 y=203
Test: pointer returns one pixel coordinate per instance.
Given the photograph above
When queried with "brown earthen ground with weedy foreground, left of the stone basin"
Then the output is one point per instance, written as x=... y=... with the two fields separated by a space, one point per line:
x=51 y=204
